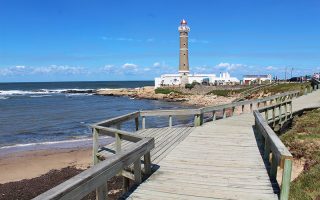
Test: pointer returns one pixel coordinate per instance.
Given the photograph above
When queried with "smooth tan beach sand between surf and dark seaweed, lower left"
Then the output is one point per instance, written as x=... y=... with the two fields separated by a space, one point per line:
x=30 y=164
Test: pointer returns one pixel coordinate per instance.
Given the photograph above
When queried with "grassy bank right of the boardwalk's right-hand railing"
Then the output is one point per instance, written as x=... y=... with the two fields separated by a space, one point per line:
x=303 y=140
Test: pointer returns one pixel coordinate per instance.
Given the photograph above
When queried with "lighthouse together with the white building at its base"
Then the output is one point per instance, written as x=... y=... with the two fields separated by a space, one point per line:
x=184 y=77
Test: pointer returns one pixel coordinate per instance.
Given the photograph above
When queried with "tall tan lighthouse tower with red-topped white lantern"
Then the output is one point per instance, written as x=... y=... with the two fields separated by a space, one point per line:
x=183 y=59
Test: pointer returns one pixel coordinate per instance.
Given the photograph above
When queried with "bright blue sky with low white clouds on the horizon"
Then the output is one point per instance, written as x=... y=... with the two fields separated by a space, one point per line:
x=82 y=40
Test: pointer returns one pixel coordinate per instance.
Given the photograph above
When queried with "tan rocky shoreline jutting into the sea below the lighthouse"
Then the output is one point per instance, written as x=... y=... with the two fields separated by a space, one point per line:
x=149 y=93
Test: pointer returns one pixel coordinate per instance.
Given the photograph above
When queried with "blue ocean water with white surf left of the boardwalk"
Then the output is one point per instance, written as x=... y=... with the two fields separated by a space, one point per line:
x=42 y=112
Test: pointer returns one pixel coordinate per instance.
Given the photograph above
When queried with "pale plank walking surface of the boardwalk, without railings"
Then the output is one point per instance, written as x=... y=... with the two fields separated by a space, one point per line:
x=219 y=160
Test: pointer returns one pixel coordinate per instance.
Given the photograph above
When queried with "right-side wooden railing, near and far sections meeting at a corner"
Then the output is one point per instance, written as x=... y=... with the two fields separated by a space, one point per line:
x=274 y=151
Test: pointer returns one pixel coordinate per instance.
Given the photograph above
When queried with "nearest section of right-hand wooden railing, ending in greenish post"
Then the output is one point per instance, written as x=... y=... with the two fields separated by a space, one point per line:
x=280 y=155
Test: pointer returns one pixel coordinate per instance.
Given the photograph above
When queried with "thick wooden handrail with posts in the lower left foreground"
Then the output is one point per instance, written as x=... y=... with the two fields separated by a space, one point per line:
x=98 y=175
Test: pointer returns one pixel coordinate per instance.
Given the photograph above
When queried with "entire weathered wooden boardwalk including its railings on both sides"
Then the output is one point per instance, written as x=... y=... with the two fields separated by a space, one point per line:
x=228 y=158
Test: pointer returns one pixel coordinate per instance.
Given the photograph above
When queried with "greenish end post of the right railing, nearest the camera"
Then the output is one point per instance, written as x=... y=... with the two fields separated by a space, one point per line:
x=286 y=177
